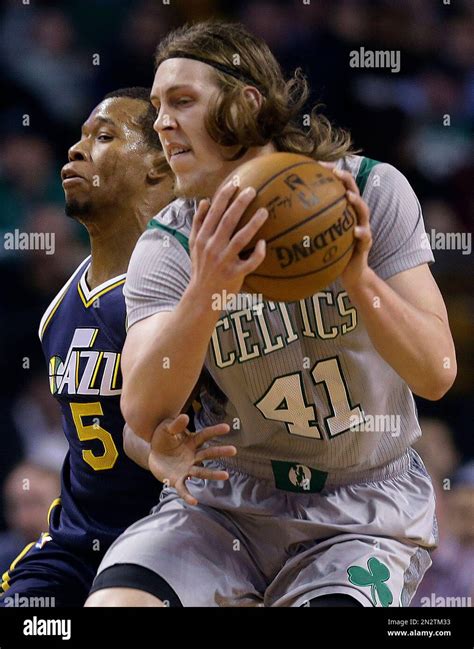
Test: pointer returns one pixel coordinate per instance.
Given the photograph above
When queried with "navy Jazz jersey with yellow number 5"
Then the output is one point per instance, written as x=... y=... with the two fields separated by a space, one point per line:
x=102 y=490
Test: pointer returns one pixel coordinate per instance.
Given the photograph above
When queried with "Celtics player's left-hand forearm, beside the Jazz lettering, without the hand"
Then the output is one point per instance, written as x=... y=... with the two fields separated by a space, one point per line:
x=166 y=366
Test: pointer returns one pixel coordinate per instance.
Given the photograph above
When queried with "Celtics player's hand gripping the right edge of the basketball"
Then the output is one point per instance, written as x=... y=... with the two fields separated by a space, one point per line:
x=358 y=265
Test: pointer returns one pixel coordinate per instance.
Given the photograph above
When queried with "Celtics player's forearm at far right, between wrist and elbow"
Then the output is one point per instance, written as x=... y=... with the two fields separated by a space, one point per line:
x=417 y=344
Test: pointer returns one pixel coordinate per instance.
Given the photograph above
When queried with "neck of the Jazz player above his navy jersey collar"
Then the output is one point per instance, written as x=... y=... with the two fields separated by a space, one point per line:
x=111 y=248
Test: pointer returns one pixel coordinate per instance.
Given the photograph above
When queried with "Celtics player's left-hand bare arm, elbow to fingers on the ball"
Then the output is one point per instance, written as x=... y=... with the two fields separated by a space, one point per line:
x=152 y=389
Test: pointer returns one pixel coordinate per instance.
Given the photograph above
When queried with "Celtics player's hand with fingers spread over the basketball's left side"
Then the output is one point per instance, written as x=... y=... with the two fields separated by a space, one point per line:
x=216 y=265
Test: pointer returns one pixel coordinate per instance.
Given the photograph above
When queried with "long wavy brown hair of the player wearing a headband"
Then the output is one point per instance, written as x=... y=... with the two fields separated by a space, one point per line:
x=232 y=119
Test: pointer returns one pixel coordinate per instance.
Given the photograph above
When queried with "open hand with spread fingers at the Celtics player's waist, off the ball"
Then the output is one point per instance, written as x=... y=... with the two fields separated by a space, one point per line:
x=176 y=454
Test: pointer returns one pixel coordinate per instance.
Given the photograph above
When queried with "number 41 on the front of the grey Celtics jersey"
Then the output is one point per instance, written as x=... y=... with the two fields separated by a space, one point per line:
x=285 y=401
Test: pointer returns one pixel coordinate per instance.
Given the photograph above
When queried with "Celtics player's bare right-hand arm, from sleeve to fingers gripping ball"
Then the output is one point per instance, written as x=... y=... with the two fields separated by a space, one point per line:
x=405 y=315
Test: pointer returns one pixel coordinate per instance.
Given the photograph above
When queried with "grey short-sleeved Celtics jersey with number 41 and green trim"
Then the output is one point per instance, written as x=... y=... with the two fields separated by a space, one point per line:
x=308 y=398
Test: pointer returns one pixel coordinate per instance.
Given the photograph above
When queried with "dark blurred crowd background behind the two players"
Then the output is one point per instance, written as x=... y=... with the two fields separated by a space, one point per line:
x=59 y=58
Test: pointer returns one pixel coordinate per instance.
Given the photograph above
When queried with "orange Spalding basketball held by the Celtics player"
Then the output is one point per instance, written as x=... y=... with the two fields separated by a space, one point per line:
x=309 y=230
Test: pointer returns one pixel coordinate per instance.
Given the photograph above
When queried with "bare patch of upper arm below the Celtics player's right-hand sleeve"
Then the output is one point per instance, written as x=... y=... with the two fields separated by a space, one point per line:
x=418 y=287
